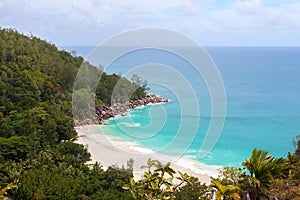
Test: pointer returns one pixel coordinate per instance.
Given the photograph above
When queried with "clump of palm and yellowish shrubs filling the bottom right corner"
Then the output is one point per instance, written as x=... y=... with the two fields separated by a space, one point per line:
x=263 y=177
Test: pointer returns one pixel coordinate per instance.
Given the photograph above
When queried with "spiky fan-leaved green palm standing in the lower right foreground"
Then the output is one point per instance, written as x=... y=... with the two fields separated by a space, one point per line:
x=263 y=168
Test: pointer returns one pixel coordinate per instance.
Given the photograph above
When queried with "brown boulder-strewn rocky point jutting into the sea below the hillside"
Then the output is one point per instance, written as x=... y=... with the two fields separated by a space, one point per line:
x=103 y=112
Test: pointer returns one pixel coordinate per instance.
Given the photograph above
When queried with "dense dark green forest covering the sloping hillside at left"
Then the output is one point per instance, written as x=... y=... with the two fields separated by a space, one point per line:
x=38 y=159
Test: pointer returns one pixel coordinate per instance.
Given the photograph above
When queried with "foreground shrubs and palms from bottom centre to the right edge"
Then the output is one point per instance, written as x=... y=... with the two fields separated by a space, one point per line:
x=262 y=178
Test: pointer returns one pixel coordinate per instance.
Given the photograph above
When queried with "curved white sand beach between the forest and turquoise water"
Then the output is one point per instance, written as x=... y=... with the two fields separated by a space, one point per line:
x=111 y=151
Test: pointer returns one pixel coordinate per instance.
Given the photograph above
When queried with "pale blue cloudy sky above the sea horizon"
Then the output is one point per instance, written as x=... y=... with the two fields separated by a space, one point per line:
x=208 y=22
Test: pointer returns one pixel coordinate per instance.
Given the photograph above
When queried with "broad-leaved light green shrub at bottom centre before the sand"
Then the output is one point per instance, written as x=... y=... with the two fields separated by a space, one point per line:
x=158 y=183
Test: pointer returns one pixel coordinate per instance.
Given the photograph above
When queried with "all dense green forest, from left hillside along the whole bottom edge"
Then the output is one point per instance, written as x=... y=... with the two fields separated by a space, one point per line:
x=38 y=159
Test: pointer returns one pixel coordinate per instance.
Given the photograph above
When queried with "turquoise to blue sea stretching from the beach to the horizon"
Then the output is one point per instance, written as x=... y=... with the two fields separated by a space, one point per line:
x=262 y=86
